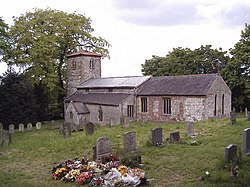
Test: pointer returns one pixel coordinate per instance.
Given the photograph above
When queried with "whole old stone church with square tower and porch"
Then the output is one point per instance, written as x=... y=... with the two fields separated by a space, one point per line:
x=91 y=98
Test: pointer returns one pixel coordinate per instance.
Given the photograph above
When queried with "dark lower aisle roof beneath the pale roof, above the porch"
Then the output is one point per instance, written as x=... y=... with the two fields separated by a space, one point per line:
x=113 y=99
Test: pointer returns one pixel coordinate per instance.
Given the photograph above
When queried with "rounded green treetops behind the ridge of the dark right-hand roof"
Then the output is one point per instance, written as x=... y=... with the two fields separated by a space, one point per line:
x=183 y=61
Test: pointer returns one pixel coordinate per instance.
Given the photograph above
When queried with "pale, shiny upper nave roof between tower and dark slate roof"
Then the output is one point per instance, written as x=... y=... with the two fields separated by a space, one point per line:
x=114 y=82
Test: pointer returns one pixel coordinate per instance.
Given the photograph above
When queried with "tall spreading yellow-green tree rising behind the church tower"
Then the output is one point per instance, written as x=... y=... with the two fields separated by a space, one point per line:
x=40 y=40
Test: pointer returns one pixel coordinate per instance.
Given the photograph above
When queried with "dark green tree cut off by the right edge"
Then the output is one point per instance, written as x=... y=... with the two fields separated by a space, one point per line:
x=237 y=71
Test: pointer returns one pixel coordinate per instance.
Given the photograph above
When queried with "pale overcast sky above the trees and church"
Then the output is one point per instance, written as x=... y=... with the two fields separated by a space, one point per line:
x=138 y=29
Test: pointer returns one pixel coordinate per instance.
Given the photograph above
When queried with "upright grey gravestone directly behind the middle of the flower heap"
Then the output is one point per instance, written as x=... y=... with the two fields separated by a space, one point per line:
x=102 y=148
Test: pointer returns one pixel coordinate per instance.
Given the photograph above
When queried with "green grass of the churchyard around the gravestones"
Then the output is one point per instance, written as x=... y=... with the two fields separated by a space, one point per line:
x=29 y=159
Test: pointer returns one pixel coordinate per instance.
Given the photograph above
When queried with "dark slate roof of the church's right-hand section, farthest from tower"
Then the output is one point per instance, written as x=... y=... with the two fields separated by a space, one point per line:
x=186 y=85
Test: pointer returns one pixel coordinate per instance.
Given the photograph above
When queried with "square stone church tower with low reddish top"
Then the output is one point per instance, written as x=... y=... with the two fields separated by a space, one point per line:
x=81 y=66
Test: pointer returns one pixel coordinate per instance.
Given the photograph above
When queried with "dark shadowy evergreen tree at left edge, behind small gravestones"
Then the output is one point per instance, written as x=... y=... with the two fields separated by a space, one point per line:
x=17 y=99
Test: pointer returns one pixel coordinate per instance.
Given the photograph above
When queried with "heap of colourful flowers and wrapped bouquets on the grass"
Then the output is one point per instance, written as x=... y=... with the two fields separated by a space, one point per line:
x=112 y=173
